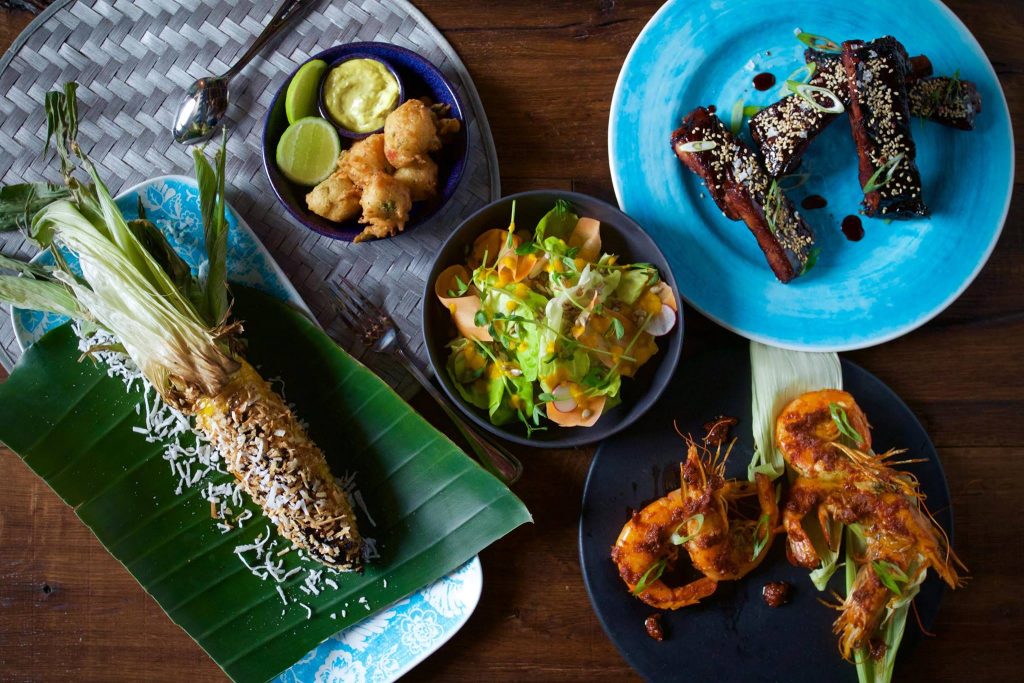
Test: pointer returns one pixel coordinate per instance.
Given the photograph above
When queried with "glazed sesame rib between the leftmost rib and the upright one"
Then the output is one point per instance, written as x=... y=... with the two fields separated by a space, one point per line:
x=784 y=131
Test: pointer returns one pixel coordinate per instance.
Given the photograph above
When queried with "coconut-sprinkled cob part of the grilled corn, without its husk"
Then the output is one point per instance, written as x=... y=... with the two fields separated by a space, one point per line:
x=266 y=447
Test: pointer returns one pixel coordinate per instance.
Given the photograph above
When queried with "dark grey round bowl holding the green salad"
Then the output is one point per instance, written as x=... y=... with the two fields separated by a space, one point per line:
x=620 y=235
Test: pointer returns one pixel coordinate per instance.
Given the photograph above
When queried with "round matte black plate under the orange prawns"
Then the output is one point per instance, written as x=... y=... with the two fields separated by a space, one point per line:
x=734 y=635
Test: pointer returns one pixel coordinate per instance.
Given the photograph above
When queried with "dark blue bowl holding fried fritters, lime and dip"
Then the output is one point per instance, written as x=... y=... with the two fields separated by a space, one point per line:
x=419 y=79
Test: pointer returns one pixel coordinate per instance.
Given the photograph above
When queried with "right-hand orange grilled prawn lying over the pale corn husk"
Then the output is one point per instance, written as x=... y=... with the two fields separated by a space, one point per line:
x=838 y=478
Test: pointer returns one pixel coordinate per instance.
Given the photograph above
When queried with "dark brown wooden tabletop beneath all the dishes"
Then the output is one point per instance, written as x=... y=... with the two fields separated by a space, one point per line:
x=546 y=71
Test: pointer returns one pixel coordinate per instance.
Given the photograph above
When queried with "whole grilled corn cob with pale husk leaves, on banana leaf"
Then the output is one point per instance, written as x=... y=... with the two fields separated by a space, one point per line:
x=177 y=330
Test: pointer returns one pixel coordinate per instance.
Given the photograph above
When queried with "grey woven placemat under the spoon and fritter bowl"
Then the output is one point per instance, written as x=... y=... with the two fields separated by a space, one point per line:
x=135 y=60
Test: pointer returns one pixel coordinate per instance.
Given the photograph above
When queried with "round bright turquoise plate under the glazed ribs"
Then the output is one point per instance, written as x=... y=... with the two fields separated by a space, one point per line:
x=902 y=275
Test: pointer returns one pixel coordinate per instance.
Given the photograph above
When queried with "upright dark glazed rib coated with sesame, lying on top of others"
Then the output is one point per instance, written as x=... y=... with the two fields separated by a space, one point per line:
x=880 y=119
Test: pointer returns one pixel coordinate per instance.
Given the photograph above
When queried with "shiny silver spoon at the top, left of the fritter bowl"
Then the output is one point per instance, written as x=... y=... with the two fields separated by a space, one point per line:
x=201 y=113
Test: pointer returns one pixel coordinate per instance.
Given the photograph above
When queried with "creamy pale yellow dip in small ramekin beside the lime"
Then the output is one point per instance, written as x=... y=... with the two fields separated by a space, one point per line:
x=360 y=94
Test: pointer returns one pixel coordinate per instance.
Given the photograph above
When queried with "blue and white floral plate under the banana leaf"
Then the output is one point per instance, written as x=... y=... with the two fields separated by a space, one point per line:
x=388 y=646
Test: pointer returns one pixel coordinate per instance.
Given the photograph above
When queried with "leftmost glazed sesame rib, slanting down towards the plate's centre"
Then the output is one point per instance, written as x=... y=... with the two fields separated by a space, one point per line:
x=745 y=192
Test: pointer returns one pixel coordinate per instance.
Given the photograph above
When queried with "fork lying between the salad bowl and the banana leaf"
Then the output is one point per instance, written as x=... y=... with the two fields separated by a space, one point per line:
x=380 y=334
